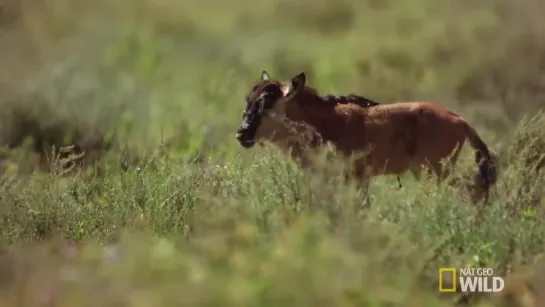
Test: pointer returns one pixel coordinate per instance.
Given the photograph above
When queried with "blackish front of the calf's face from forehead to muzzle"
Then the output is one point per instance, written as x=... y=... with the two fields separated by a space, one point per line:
x=260 y=100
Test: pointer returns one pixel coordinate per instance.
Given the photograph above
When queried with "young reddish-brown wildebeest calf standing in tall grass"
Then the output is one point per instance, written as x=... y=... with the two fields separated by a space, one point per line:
x=397 y=137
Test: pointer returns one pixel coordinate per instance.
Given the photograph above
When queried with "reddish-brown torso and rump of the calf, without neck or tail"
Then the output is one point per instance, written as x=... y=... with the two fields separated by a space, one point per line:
x=403 y=134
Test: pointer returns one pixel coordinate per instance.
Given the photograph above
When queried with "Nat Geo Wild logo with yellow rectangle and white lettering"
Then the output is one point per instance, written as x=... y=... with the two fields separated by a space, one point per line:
x=470 y=280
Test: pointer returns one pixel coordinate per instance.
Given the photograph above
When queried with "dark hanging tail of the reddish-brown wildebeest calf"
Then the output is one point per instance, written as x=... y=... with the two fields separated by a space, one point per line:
x=488 y=168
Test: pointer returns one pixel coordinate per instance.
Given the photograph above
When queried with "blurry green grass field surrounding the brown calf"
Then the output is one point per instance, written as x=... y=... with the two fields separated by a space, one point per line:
x=169 y=210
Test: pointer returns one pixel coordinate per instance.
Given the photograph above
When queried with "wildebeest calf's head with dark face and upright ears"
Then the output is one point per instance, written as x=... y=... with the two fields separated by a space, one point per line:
x=266 y=108
